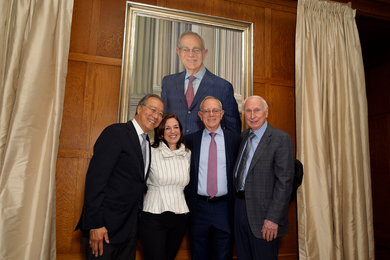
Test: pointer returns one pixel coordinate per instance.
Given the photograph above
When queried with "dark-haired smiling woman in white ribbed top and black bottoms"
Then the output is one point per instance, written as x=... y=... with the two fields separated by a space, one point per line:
x=163 y=221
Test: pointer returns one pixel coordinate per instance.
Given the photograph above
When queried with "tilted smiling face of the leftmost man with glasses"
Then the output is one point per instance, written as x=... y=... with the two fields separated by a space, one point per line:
x=146 y=118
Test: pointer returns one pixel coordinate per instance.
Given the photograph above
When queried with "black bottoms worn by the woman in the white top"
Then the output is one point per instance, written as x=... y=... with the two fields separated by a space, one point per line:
x=161 y=234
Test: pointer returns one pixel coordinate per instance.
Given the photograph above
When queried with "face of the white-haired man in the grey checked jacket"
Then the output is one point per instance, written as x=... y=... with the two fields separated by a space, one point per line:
x=255 y=113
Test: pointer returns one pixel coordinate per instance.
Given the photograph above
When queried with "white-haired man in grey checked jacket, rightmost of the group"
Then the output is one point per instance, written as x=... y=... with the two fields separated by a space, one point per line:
x=264 y=173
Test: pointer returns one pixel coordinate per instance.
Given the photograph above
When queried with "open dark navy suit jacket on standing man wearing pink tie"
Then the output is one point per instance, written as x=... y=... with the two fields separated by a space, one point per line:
x=232 y=144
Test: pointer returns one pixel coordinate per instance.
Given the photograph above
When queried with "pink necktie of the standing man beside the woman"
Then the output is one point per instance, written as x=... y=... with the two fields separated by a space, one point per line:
x=212 y=184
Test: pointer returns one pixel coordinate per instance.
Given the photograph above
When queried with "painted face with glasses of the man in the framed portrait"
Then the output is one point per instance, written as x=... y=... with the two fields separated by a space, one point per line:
x=192 y=62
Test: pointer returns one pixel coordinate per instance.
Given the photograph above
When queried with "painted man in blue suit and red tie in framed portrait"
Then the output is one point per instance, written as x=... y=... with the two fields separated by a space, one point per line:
x=183 y=92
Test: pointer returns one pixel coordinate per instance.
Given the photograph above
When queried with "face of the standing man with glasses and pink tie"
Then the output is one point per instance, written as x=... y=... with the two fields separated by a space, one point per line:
x=211 y=114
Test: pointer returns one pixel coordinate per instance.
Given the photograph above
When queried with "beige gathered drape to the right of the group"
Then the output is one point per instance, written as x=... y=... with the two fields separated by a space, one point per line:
x=334 y=201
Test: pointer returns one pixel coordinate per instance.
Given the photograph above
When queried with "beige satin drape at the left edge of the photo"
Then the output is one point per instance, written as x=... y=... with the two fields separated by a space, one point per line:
x=34 y=48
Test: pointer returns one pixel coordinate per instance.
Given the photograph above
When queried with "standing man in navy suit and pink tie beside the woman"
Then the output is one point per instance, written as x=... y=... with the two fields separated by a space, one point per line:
x=210 y=193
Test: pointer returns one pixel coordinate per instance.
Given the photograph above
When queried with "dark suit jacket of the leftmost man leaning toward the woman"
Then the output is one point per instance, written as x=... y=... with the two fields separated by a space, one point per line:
x=114 y=184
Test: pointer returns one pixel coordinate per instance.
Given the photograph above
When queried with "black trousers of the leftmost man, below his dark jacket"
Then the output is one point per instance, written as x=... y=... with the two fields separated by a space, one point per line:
x=124 y=251
